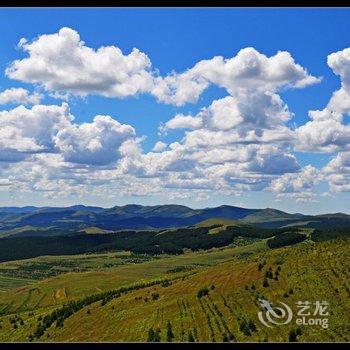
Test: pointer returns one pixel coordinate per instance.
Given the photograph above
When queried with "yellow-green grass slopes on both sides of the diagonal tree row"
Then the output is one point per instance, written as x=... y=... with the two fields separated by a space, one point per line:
x=308 y=271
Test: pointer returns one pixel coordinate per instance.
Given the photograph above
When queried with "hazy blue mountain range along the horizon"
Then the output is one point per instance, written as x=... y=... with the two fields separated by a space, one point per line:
x=39 y=221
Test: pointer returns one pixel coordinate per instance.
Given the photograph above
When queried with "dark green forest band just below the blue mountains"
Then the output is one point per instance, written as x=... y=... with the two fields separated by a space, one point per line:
x=152 y=242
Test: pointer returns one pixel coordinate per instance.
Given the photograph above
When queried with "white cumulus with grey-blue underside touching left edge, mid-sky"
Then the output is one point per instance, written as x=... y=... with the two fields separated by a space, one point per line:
x=51 y=129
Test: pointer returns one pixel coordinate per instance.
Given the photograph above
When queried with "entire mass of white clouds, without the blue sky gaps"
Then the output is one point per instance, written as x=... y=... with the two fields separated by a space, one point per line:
x=241 y=142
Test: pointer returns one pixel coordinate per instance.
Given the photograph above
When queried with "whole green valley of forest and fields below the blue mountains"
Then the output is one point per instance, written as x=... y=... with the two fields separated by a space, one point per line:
x=201 y=282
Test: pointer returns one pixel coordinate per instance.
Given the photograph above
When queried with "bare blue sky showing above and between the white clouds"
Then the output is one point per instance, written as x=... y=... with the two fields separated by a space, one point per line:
x=175 y=40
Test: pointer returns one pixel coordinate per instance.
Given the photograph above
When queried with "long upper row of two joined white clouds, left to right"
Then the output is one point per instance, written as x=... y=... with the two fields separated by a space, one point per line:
x=63 y=64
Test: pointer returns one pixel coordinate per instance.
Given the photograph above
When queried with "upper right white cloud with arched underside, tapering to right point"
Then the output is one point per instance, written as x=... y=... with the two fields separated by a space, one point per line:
x=248 y=70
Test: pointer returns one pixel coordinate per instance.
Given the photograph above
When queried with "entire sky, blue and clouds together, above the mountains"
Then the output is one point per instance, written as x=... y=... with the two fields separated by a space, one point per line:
x=199 y=107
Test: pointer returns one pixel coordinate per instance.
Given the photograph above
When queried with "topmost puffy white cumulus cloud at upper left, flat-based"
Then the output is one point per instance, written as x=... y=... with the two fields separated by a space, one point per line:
x=61 y=62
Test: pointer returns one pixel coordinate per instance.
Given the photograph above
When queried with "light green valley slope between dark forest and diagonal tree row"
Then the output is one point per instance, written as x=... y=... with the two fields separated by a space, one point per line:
x=82 y=275
